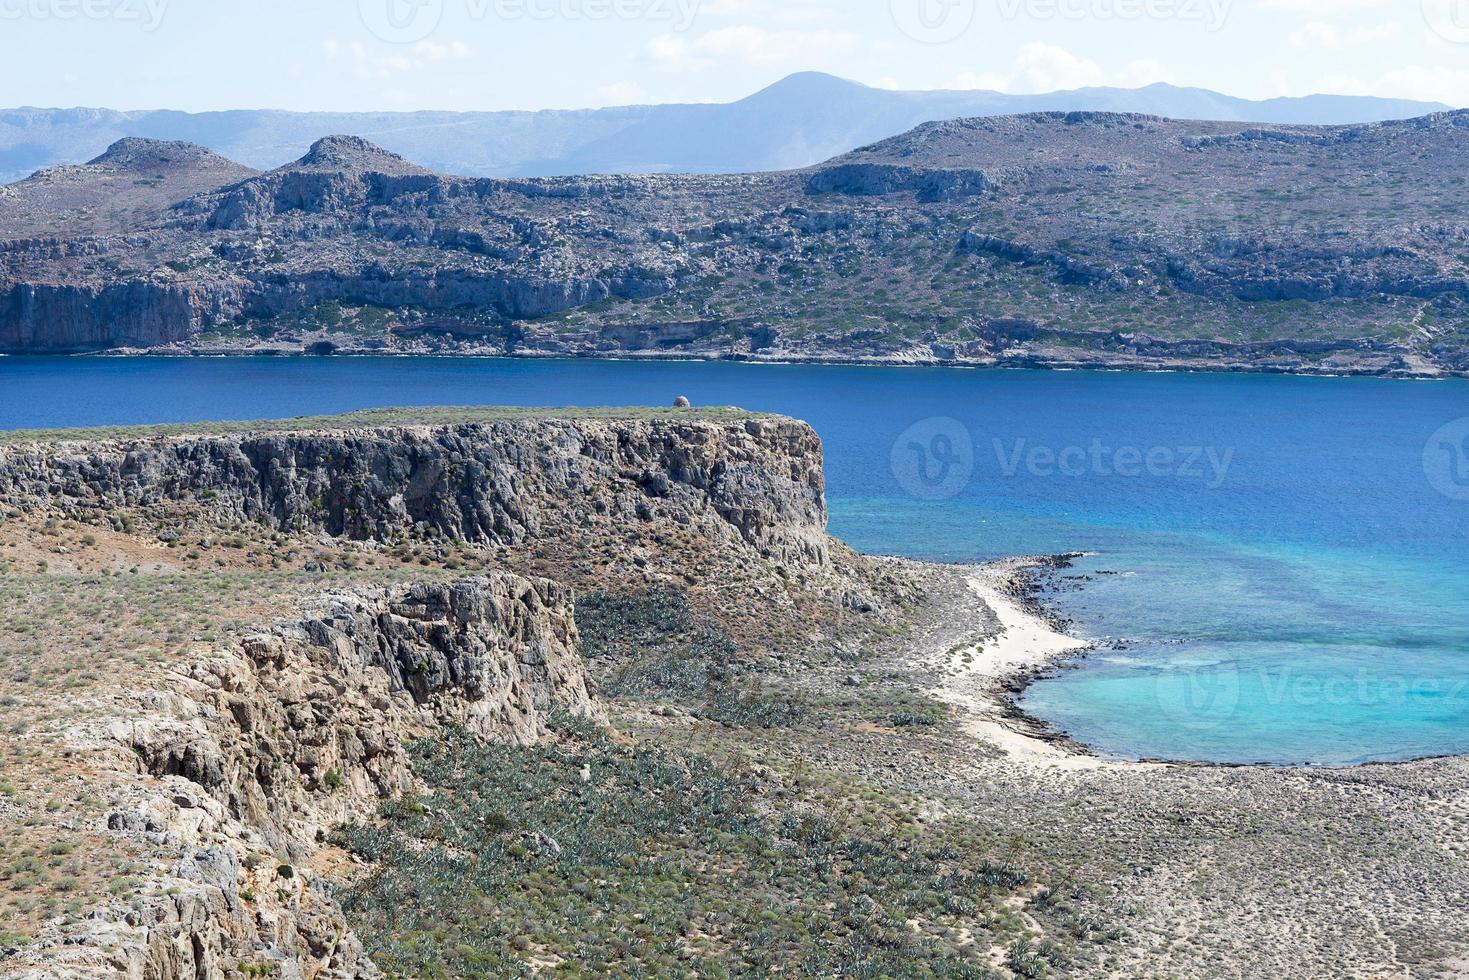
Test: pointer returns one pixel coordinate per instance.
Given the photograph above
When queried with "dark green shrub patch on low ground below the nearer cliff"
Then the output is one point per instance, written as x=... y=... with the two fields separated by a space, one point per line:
x=660 y=865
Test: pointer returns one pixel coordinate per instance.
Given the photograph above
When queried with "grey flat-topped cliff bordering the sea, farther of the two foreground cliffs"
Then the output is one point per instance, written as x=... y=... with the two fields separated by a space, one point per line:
x=756 y=483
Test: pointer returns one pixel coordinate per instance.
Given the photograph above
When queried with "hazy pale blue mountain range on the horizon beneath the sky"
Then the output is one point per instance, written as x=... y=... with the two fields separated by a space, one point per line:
x=797 y=123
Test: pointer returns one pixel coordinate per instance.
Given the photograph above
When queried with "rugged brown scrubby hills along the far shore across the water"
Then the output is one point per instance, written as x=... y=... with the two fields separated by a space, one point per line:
x=1054 y=239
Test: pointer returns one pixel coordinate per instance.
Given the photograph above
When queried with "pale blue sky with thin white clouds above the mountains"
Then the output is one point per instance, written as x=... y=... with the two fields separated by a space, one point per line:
x=481 y=55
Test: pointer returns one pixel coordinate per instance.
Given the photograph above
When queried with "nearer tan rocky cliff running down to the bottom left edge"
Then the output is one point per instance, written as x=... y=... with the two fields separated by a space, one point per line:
x=259 y=749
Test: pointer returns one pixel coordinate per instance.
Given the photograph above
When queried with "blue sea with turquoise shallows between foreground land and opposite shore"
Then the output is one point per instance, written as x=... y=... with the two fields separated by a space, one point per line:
x=1279 y=568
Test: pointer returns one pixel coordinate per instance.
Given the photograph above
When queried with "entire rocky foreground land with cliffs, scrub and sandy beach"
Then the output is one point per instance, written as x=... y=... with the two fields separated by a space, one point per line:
x=486 y=693
